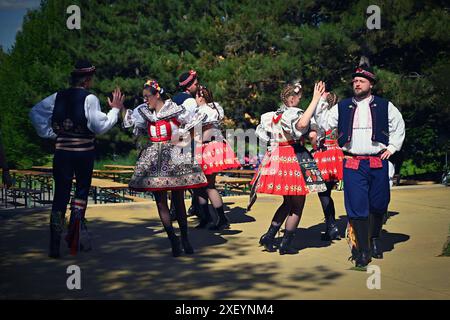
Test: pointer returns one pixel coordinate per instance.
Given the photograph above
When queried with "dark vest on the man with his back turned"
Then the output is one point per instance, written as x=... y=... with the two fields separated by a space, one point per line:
x=69 y=119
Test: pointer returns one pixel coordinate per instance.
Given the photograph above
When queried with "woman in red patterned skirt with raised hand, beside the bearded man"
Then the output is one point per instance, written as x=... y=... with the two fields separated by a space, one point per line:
x=288 y=169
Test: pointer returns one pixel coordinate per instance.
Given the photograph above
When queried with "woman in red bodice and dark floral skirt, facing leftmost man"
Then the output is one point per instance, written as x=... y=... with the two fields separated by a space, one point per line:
x=164 y=165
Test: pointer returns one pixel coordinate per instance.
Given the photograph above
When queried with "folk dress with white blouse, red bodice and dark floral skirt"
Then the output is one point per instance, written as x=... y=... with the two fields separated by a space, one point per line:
x=163 y=165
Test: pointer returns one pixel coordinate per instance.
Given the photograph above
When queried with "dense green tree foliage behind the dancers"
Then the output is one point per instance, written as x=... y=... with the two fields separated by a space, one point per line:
x=244 y=50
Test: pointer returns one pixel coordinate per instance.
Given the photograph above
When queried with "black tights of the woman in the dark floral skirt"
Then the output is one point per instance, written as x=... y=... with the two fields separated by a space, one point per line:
x=180 y=210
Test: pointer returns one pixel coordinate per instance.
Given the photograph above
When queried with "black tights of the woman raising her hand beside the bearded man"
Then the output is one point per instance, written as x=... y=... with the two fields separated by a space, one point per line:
x=292 y=209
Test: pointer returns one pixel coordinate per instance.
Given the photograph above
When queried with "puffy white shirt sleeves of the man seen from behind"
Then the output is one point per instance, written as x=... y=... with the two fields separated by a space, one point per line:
x=97 y=121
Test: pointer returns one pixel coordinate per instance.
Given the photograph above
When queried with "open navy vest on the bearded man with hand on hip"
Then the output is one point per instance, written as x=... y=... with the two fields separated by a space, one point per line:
x=380 y=124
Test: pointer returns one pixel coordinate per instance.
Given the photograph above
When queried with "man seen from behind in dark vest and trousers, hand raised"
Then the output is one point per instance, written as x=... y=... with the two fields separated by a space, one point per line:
x=73 y=117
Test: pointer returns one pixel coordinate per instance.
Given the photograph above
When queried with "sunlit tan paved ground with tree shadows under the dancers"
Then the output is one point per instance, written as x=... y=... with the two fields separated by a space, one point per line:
x=132 y=258
